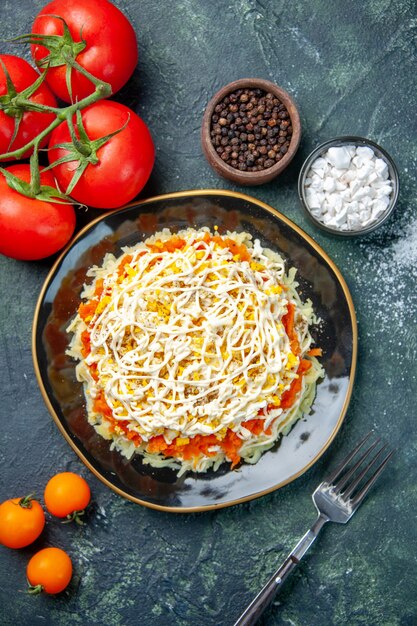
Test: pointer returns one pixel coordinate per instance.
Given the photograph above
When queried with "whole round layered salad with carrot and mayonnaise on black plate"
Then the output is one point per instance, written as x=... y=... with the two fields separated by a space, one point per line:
x=194 y=349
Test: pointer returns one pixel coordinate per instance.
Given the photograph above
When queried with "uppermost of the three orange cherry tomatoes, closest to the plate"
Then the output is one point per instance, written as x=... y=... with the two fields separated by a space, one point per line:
x=66 y=495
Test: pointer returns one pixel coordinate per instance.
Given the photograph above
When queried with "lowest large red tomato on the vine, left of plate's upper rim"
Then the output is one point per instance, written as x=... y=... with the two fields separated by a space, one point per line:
x=29 y=228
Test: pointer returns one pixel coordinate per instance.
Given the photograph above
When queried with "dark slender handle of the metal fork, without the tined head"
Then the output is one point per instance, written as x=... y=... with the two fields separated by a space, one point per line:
x=265 y=597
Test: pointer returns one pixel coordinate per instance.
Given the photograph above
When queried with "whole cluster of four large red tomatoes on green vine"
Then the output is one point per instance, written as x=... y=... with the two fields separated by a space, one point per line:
x=100 y=153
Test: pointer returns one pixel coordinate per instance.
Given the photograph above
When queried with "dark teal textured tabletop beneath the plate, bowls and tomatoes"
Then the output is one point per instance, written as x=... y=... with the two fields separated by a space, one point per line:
x=351 y=68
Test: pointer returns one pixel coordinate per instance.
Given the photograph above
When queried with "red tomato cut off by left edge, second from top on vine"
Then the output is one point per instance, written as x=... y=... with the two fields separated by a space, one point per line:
x=32 y=123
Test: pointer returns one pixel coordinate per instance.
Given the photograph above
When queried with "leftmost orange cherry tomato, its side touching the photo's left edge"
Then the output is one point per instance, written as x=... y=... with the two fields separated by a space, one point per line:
x=21 y=521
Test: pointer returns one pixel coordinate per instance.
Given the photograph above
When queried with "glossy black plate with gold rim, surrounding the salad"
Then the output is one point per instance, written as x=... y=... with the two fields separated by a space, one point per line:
x=319 y=280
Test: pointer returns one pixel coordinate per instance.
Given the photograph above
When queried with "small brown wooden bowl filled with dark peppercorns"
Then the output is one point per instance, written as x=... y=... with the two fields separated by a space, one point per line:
x=251 y=131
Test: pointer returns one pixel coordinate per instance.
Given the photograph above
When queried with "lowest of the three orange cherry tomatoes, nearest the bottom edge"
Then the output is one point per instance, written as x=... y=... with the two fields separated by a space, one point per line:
x=49 y=570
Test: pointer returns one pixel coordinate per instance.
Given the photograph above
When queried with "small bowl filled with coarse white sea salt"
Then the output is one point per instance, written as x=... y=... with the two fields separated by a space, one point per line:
x=348 y=186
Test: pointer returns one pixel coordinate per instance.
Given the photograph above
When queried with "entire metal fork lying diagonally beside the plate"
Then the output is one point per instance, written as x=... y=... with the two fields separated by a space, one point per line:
x=336 y=500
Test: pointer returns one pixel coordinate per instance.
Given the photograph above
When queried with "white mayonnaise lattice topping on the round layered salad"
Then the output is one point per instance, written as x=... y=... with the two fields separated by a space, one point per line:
x=190 y=341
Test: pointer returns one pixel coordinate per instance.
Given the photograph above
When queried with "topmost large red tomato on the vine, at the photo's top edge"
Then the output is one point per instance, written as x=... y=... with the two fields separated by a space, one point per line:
x=111 y=51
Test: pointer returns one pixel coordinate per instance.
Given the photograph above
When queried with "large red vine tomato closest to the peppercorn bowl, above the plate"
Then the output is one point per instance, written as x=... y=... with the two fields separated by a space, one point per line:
x=124 y=163
